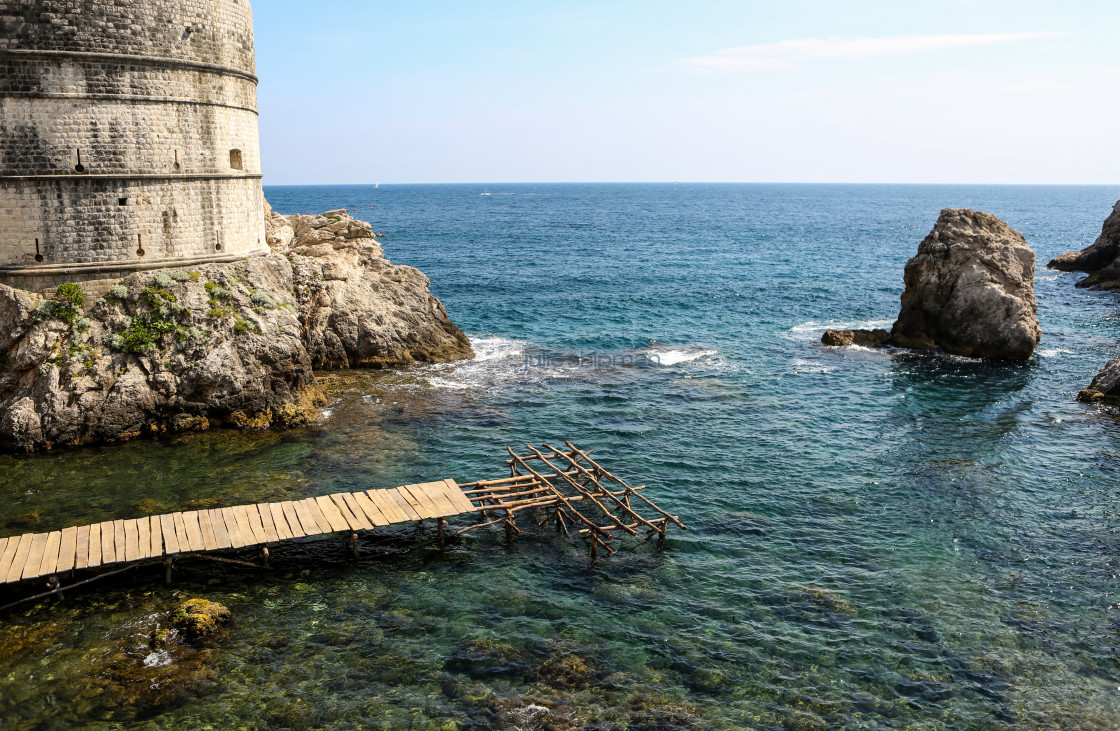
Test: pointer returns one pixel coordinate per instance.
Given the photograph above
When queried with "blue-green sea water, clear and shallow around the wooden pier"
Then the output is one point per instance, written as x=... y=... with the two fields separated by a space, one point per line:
x=878 y=540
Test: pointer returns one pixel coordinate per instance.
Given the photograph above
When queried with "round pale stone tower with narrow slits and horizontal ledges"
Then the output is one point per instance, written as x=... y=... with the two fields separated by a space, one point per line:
x=128 y=138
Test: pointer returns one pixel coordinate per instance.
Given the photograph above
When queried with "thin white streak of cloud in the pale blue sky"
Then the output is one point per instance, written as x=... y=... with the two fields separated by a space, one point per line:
x=788 y=55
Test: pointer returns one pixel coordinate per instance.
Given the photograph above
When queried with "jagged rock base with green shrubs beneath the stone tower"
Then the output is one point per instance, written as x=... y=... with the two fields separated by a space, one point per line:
x=222 y=345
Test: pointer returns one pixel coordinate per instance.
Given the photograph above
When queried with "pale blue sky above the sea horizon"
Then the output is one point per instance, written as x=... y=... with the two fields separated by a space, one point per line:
x=736 y=91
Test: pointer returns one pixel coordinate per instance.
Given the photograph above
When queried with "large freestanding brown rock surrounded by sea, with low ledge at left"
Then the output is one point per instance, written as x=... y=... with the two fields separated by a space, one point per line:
x=969 y=292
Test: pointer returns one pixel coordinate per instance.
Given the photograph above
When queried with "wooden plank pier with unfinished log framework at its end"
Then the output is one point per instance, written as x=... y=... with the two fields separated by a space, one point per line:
x=571 y=490
